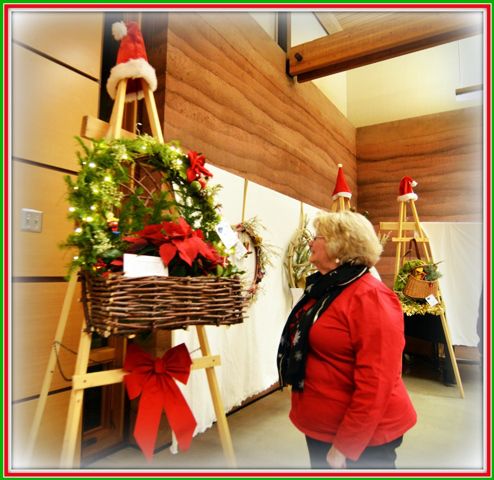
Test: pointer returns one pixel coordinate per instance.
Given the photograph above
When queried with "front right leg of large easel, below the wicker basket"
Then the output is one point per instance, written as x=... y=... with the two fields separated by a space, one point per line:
x=223 y=430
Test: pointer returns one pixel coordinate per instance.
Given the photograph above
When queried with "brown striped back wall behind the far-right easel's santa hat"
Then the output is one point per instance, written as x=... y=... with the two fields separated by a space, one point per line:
x=441 y=152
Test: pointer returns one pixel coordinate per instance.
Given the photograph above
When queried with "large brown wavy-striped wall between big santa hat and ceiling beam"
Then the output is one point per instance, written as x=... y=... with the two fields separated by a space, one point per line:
x=229 y=97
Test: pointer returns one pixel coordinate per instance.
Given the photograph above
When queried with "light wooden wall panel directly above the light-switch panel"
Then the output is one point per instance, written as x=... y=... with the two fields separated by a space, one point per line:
x=47 y=112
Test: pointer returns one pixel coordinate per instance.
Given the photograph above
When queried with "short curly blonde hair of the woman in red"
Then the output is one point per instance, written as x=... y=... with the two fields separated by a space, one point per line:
x=350 y=237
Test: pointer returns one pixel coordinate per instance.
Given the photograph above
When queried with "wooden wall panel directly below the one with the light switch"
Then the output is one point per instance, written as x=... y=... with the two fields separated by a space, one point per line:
x=36 y=309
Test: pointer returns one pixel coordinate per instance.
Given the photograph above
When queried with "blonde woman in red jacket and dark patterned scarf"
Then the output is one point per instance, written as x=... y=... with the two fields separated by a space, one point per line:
x=341 y=350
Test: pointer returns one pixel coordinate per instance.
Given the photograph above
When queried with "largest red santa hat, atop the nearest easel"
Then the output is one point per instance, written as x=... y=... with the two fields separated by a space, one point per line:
x=132 y=62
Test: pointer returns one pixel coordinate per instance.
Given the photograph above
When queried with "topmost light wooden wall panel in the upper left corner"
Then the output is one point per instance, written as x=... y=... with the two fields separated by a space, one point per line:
x=74 y=39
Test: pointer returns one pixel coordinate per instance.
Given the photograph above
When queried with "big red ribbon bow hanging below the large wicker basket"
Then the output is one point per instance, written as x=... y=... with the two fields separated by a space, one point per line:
x=152 y=378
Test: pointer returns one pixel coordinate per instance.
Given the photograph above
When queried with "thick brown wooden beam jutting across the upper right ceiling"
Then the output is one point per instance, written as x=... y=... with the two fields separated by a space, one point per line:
x=389 y=35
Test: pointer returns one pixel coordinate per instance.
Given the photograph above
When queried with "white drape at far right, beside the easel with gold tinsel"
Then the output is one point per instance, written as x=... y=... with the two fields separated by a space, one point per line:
x=458 y=245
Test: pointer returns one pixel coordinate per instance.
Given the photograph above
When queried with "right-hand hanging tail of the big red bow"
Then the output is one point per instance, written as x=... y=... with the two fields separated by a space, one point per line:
x=179 y=415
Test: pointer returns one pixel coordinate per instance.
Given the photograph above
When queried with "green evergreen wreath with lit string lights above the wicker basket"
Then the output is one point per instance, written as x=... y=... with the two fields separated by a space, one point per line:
x=104 y=210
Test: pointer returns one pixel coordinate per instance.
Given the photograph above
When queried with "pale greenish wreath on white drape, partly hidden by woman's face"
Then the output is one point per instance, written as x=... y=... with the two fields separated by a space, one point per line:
x=297 y=263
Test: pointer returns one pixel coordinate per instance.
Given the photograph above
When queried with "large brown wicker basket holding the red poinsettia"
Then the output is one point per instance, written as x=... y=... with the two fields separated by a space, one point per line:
x=117 y=305
